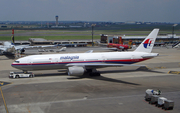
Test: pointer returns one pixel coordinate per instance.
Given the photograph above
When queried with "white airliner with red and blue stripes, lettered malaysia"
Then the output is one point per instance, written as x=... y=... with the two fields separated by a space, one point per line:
x=79 y=63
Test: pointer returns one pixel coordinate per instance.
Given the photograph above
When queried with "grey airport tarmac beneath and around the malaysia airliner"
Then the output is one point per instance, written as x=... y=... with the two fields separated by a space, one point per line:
x=117 y=90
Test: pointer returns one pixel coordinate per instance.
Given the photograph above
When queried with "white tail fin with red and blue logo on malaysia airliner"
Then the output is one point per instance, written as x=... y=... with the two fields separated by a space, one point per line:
x=148 y=43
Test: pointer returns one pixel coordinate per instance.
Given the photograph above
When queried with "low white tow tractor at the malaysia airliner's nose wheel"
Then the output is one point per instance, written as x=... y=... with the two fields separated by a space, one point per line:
x=20 y=75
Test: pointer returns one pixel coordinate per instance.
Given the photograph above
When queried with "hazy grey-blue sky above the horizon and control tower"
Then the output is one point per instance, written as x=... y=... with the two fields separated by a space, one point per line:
x=91 y=10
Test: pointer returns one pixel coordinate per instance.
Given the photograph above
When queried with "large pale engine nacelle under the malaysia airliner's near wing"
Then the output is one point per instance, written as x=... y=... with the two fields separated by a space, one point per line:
x=75 y=71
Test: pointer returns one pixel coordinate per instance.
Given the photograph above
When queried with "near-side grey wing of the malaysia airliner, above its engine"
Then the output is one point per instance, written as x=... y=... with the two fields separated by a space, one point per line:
x=99 y=65
